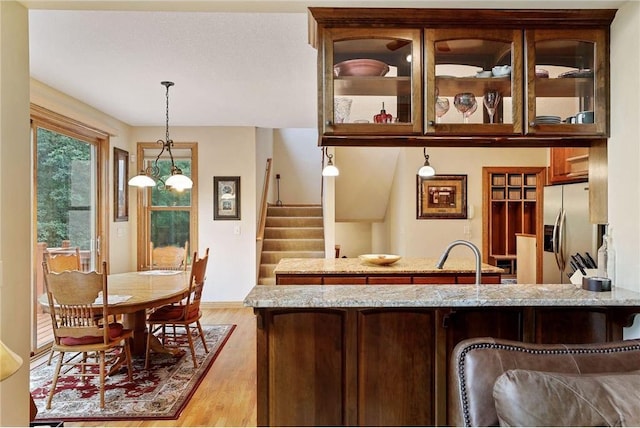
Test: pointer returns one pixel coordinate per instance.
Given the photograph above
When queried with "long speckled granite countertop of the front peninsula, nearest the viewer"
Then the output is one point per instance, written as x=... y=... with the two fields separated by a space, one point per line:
x=448 y=295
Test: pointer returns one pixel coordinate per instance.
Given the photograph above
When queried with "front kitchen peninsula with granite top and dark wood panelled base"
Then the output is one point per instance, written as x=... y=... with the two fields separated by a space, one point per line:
x=379 y=354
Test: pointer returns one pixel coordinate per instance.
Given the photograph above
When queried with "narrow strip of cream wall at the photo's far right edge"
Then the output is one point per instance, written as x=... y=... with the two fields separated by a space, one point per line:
x=624 y=149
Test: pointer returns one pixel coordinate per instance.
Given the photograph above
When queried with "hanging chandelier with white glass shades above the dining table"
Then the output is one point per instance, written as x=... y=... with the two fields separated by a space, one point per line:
x=177 y=180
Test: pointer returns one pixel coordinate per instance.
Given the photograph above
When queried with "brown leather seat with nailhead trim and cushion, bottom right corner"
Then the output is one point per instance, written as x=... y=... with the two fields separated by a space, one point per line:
x=500 y=382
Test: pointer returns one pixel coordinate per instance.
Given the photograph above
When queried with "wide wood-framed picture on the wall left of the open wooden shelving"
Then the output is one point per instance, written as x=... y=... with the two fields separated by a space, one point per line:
x=442 y=197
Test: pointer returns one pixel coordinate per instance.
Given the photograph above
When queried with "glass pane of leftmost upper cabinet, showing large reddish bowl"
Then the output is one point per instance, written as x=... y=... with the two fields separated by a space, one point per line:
x=372 y=80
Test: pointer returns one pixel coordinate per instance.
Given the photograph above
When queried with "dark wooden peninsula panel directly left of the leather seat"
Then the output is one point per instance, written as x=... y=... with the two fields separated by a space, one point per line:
x=396 y=345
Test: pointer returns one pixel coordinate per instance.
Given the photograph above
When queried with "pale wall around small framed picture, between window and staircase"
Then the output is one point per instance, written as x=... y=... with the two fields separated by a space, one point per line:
x=222 y=151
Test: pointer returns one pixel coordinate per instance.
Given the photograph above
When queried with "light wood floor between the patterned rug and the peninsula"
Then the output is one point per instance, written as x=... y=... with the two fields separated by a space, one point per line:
x=227 y=395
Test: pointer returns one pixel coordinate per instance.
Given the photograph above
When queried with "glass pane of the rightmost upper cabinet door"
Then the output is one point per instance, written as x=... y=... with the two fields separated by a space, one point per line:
x=564 y=82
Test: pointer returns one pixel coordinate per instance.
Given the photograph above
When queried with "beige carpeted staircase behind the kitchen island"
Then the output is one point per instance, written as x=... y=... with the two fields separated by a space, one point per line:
x=291 y=231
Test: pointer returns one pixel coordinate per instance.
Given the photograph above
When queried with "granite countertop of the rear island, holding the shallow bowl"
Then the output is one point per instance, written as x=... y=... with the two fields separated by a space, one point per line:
x=357 y=266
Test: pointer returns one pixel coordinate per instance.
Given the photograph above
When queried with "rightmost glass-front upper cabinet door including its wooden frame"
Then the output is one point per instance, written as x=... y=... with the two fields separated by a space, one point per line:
x=567 y=74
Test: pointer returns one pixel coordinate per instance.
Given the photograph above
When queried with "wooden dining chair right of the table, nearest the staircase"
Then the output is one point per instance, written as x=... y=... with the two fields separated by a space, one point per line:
x=183 y=315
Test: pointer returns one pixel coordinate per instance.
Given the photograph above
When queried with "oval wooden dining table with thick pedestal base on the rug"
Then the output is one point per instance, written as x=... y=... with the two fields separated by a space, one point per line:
x=133 y=293
